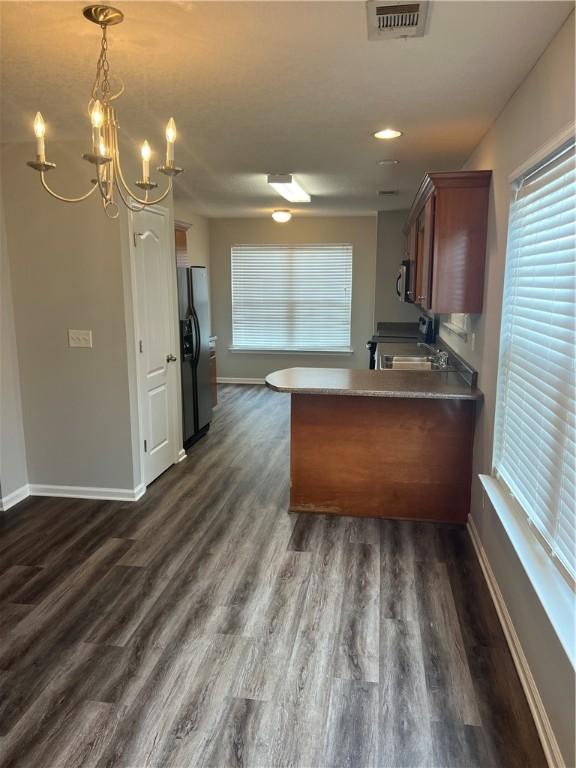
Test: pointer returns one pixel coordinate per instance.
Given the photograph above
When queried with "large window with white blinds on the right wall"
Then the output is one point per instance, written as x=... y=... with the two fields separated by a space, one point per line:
x=534 y=449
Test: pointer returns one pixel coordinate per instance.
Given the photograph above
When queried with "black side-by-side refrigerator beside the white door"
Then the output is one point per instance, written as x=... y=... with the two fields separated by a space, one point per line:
x=193 y=309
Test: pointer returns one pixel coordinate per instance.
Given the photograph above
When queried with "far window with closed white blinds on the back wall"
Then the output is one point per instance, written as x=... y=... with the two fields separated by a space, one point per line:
x=292 y=297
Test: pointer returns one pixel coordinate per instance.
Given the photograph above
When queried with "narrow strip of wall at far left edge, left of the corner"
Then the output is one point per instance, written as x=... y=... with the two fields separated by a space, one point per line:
x=13 y=472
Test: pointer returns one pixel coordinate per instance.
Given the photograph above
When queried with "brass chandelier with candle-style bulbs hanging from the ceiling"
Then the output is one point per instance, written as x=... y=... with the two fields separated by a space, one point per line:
x=105 y=151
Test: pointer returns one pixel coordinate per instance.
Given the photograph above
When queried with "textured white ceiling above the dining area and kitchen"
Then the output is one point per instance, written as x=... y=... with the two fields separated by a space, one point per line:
x=258 y=87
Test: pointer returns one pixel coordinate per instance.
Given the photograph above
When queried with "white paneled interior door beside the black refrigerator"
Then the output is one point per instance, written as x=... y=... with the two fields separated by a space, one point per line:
x=157 y=356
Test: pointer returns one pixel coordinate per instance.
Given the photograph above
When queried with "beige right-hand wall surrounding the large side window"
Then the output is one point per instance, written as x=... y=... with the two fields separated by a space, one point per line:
x=541 y=108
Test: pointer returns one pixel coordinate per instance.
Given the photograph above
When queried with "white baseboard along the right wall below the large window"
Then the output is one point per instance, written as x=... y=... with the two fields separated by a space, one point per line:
x=543 y=726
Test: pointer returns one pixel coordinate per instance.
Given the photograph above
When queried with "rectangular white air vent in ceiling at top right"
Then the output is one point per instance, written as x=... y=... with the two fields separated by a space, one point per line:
x=388 y=20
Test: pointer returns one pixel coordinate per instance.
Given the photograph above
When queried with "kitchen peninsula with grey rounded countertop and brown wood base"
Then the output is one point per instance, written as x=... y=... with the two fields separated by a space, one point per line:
x=382 y=443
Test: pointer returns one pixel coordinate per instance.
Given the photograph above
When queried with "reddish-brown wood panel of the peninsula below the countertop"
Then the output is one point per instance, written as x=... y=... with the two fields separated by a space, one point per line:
x=382 y=457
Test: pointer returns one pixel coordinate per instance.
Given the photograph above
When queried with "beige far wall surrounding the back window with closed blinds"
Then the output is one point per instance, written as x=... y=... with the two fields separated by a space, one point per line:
x=360 y=231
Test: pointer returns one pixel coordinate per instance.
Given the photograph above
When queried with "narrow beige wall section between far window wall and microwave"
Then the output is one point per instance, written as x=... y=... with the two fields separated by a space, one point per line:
x=390 y=252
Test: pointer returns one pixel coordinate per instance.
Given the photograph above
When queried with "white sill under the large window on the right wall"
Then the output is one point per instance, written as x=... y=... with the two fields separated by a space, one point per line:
x=551 y=587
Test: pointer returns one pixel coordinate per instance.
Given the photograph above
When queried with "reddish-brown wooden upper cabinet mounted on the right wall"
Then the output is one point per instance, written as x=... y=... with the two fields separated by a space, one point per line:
x=446 y=241
